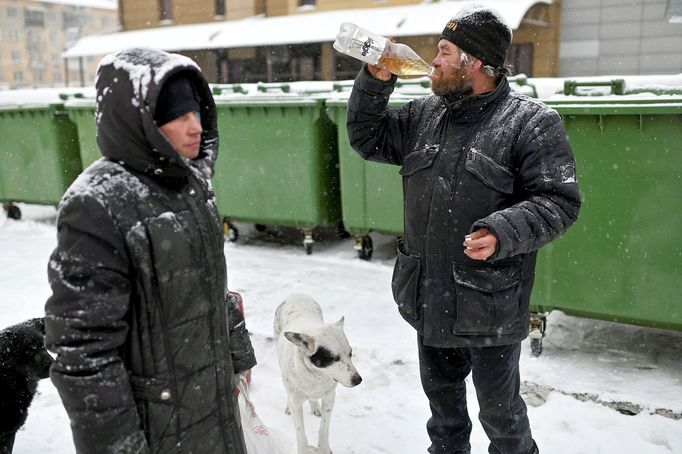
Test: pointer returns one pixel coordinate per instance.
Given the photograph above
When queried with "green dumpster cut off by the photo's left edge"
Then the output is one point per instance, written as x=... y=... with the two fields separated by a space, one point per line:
x=39 y=154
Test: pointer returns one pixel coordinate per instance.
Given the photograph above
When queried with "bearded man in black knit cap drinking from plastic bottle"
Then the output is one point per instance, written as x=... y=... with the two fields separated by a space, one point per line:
x=488 y=178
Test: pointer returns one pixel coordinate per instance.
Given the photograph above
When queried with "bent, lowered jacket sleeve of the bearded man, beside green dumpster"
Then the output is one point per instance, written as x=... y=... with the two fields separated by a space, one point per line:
x=547 y=179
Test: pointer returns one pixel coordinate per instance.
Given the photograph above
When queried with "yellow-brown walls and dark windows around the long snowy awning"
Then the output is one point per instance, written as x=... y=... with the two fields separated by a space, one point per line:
x=534 y=50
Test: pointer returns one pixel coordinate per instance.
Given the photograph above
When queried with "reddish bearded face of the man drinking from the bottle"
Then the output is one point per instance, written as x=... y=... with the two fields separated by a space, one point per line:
x=452 y=76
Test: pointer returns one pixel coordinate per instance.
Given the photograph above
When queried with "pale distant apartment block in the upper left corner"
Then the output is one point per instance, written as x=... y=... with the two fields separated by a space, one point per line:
x=33 y=35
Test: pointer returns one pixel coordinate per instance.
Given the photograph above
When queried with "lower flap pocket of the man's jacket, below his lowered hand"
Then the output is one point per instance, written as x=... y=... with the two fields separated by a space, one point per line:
x=487 y=299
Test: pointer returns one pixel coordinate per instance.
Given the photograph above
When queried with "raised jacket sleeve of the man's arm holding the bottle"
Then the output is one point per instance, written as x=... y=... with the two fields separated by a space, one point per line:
x=376 y=132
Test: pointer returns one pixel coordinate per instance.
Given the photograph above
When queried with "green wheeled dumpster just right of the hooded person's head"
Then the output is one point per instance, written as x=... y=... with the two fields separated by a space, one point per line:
x=278 y=161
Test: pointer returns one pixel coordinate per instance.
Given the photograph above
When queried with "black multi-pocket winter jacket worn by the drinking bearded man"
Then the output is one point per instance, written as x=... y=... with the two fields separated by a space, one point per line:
x=501 y=161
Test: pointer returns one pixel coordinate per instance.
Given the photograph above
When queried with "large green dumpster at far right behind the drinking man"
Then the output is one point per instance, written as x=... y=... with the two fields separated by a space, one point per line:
x=622 y=261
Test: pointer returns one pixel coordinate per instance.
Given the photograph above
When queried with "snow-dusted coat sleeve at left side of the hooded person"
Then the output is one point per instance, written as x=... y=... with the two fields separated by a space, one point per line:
x=85 y=326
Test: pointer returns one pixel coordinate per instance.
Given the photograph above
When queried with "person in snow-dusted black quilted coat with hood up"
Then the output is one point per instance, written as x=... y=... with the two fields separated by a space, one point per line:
x=138 y=315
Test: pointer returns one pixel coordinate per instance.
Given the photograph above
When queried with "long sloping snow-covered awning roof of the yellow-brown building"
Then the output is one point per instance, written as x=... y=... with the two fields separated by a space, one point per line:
x=313 y=27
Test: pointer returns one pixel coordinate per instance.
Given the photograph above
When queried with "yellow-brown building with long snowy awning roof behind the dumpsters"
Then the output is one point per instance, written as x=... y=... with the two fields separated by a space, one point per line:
x=287 y=40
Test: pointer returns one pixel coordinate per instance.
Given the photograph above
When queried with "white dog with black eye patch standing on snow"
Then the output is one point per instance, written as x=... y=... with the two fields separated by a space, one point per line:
x=313 y=356
